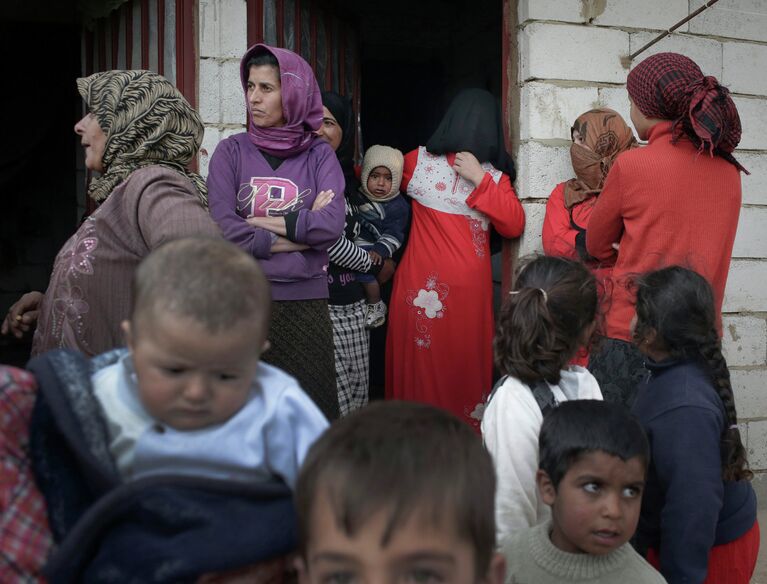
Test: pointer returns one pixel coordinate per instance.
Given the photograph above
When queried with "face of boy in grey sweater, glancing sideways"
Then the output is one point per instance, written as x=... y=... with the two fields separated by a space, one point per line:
x=596 y=507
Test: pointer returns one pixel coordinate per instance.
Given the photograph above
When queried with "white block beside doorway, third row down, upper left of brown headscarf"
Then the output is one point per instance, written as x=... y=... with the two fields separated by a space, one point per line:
x=548 y=111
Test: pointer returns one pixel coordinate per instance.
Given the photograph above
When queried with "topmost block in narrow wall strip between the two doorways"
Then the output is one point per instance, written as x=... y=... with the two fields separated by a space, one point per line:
x=223 y=28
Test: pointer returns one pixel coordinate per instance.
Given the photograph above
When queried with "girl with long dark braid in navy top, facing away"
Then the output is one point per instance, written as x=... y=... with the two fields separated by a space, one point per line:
x=698 y=514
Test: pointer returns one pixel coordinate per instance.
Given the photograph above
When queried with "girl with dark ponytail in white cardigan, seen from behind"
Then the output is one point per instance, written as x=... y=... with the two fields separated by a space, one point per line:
x=546 y=319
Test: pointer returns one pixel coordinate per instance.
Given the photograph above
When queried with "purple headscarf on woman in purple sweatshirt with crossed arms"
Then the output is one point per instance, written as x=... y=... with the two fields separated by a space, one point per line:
x=301 y=104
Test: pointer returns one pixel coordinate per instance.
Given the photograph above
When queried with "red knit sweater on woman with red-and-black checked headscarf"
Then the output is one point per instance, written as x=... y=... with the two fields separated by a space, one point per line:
x=665 y=204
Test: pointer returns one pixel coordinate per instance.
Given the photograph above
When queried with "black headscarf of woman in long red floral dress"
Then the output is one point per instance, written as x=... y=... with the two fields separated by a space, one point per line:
x=473 y=124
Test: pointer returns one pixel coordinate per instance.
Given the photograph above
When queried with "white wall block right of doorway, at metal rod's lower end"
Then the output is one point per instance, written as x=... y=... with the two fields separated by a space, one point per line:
x=560 y=51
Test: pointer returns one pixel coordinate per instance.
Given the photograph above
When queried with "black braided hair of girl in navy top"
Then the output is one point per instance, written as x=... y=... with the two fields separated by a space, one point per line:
x=677 y=304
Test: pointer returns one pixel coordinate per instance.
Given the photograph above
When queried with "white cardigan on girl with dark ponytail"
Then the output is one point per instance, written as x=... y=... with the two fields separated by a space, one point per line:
x=510 y=427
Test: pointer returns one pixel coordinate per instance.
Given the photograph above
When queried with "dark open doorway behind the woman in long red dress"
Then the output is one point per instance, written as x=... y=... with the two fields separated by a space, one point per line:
x=415 y=56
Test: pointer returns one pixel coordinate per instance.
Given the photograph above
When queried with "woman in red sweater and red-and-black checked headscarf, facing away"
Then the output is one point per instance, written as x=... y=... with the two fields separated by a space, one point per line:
x=675 y=201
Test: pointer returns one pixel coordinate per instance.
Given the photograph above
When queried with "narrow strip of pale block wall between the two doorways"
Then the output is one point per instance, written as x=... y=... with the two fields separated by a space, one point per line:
x=223 y=40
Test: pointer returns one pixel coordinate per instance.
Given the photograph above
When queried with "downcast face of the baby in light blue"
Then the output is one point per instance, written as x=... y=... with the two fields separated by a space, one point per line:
x=188 y=377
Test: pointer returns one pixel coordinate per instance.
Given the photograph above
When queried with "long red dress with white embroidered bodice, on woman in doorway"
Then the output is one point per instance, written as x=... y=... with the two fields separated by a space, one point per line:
x=439 y=344
